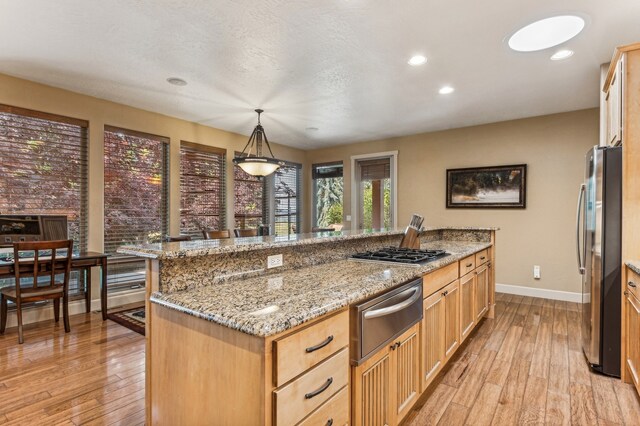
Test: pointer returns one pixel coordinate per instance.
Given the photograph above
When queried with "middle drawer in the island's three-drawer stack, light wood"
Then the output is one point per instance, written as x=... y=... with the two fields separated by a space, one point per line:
x=295 y=400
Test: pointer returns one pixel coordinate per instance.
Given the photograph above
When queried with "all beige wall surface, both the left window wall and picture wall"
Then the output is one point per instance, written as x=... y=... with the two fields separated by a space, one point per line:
x=553 y=147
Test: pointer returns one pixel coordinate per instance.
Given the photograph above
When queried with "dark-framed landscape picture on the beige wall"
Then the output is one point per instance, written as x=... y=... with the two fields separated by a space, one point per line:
x=487 y=187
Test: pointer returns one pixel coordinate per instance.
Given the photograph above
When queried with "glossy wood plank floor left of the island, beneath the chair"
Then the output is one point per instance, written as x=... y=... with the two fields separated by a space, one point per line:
x=93 y=375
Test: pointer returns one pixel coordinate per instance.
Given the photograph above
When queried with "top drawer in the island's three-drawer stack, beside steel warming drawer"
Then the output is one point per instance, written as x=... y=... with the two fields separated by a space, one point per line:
x=297 y=352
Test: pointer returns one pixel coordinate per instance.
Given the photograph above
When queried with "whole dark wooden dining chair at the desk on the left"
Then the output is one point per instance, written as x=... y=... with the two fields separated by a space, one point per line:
x=43 y=276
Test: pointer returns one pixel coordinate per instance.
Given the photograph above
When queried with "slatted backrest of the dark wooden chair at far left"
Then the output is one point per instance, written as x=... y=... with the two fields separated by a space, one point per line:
x=42 y=265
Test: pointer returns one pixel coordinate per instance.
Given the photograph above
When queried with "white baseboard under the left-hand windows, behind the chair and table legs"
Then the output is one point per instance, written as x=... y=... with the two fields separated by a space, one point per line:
x=45 y=313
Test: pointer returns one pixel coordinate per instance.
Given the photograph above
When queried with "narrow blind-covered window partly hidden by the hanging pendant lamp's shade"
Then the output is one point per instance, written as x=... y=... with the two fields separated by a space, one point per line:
x=249 y=204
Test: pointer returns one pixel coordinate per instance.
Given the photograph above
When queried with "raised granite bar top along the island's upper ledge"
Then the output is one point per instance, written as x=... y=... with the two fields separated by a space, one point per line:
x=209 y=247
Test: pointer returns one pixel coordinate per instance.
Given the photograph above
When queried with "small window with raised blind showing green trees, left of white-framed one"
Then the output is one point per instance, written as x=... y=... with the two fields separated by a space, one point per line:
x=328 y=189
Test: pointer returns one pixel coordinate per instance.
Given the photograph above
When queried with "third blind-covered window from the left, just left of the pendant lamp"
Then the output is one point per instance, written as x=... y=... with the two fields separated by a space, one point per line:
x=202 y=188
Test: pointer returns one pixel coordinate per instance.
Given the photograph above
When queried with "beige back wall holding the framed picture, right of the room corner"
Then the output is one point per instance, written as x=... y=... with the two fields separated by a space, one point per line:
x=543 y=234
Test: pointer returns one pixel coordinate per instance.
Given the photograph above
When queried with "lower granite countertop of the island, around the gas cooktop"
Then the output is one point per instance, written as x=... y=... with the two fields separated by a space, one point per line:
x=272 y=303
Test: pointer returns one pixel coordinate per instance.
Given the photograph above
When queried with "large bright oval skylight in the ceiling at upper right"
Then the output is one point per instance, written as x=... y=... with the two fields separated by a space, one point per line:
x=546 y=33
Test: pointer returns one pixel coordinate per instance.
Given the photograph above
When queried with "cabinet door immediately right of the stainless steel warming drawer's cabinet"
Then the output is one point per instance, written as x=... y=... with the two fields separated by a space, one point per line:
x=433 y=331
